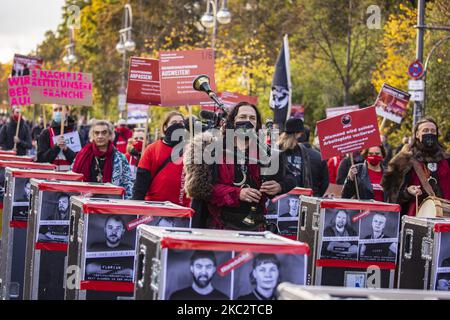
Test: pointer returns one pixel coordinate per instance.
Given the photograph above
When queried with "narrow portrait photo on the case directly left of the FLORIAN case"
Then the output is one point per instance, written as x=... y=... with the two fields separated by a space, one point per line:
x=54 y=217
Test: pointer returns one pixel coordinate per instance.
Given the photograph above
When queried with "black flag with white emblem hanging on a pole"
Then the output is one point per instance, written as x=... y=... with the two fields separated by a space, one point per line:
x=280 y=95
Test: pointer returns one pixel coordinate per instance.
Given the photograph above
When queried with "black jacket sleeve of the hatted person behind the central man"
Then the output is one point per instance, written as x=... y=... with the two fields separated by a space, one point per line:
x=319 y=171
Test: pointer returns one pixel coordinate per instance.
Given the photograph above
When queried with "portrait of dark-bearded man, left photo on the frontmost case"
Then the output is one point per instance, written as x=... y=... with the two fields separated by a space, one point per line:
x=192 y=275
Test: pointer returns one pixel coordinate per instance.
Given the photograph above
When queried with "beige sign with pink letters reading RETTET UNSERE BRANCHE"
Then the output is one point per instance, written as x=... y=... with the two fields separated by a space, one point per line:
x=61 y=87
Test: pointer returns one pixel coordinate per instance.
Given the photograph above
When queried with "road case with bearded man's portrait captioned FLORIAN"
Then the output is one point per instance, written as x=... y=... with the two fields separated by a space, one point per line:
x=102 y=243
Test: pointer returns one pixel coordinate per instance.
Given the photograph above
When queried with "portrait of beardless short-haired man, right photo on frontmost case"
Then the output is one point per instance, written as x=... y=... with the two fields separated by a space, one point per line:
x=259 y=278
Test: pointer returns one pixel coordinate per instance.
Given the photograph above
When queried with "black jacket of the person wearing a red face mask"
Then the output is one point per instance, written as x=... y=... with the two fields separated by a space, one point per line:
x=364 y=185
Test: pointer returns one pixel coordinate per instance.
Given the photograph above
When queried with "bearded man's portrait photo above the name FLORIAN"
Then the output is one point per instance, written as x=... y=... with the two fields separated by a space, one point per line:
x=109 y=233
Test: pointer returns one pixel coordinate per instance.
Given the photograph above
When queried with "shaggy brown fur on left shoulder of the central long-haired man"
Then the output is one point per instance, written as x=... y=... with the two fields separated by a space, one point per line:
x=198 y=175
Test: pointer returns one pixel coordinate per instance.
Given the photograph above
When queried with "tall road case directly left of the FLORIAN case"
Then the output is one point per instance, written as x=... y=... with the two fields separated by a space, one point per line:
x=48 y=232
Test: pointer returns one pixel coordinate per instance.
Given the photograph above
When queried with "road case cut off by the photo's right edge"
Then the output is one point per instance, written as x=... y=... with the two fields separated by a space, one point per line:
x=425 y=254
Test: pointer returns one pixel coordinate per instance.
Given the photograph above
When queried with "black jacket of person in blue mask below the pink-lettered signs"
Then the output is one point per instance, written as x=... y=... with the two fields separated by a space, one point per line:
x=45 y=153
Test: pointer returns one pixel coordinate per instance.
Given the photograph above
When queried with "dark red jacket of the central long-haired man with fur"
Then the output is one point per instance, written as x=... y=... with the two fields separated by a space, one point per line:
x=226 y=194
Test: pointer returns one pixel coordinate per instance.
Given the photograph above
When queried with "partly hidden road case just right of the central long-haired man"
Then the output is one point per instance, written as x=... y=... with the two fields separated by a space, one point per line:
x=282 y=212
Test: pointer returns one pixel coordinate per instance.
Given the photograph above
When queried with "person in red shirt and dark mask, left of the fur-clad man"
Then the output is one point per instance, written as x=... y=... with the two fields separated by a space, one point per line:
x=160 y=175
